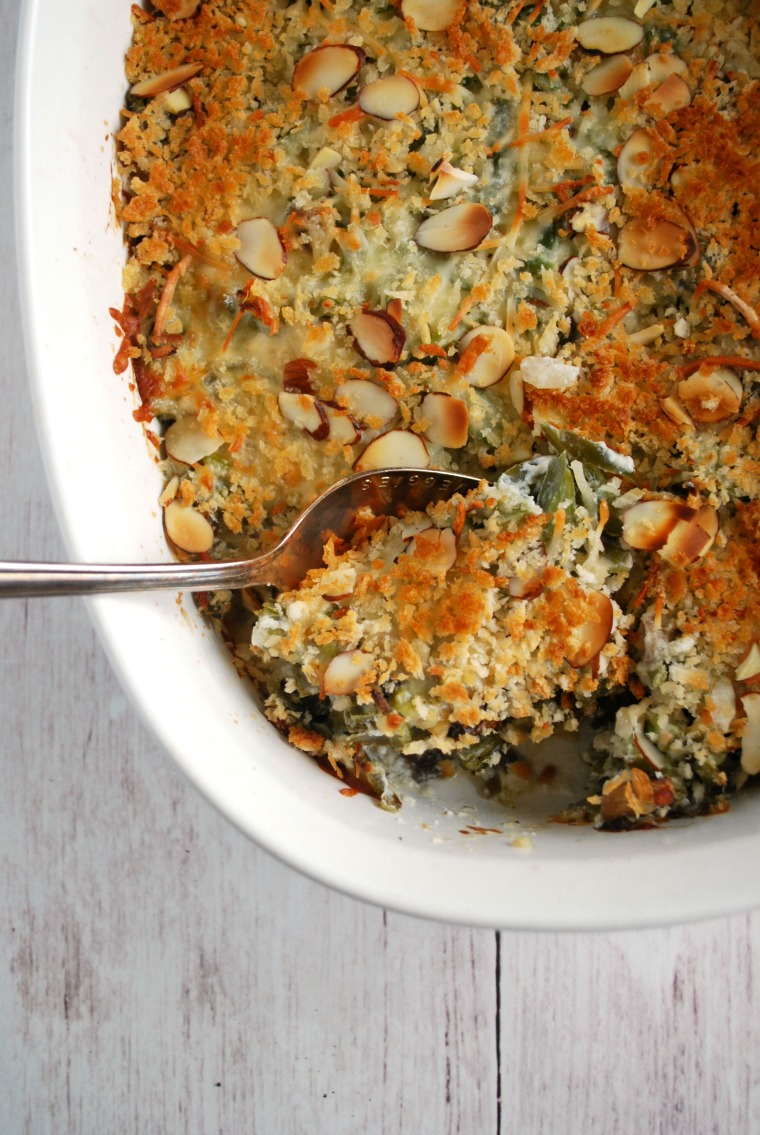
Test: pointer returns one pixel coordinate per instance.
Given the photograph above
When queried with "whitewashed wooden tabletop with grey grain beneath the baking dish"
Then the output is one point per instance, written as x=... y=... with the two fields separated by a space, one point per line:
x=161 y=974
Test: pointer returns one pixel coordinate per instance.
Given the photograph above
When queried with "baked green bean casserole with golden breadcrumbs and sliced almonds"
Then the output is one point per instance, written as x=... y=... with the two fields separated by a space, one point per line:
x=514 y=240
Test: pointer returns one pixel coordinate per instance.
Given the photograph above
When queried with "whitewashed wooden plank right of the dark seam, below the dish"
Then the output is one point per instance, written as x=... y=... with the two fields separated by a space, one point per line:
x=655 y=1031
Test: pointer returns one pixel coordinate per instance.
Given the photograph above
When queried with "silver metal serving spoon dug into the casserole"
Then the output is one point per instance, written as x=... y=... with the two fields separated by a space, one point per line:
x=383 y=491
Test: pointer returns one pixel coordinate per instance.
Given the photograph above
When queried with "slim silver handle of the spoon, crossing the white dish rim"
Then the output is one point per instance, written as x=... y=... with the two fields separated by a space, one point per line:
x=30 y=579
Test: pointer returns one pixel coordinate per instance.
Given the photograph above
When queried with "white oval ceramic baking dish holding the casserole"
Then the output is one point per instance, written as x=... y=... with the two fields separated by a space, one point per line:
x=105 y=484
